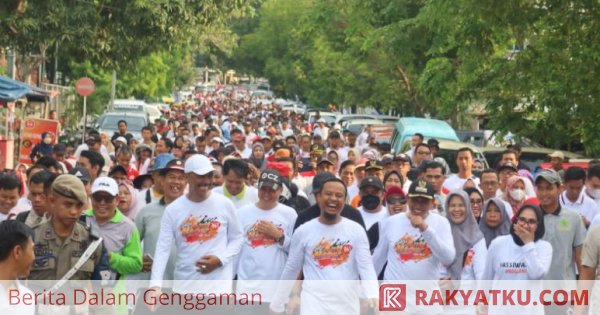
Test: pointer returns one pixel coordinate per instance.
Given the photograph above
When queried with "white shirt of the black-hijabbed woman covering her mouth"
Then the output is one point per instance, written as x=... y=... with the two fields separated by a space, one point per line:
x=508 y=261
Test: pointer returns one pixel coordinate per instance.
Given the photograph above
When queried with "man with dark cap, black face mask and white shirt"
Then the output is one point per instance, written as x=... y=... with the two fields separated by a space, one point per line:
x=371 y=199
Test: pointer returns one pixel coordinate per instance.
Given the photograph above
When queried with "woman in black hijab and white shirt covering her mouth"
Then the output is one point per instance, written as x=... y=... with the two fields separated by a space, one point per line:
x=521 y=255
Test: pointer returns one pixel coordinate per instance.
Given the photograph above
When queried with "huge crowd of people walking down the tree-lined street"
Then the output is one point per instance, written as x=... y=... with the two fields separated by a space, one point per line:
x=223 y=189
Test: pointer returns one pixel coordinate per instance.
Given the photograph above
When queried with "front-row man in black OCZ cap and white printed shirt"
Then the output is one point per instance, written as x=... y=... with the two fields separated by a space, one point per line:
x=267 y=227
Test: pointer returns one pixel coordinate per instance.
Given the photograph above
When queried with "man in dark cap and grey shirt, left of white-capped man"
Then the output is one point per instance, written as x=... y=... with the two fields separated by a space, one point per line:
x=149 y=218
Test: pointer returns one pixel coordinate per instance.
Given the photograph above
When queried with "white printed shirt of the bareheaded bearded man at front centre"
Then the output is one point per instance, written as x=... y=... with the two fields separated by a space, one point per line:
x=329 y=252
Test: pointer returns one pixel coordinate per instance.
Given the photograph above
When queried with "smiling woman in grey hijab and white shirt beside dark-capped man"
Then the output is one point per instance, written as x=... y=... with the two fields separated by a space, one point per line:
x=469 y=243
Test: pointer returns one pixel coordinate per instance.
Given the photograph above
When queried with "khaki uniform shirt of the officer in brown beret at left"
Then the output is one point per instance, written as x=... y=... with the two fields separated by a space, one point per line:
x=54 y=257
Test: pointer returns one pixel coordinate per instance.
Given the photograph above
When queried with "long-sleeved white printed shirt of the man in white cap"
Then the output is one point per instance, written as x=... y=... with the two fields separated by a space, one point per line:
x=202 y=228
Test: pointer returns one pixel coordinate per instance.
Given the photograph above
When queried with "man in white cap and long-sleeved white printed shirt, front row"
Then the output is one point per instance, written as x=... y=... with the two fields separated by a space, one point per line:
x=206 y=232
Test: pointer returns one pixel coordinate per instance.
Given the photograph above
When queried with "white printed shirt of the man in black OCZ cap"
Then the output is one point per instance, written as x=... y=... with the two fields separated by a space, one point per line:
x=262 y=257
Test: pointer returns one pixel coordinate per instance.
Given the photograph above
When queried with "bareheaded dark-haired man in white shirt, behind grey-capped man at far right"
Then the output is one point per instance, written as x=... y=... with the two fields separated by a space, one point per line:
x=574 y=198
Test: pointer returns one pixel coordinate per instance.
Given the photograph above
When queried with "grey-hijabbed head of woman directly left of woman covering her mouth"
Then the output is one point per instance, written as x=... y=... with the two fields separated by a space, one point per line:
x=494 y=220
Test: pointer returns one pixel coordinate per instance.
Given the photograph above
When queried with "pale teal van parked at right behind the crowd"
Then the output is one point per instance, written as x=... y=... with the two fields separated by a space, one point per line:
x=406 y=127
